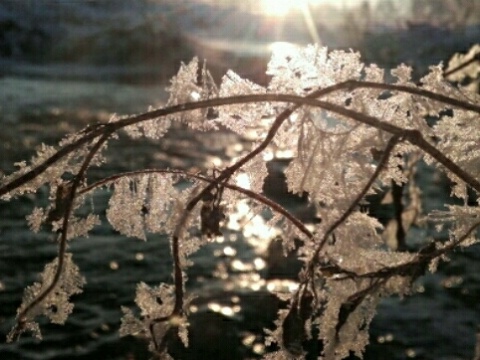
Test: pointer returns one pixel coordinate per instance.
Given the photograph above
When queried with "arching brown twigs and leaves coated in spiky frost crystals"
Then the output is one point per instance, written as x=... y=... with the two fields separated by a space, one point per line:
x=352 y=130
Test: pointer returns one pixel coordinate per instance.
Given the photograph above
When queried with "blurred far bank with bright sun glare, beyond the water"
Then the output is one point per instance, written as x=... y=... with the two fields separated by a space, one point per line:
x=143 y=41
